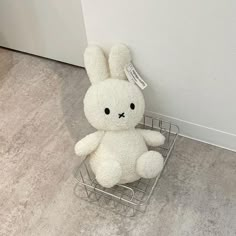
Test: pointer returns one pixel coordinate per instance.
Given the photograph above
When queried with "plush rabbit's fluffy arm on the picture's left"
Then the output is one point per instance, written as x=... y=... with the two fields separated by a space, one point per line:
x=88 y=144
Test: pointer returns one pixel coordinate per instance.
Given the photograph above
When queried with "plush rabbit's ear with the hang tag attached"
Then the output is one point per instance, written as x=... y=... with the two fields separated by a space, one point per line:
x=118 y=58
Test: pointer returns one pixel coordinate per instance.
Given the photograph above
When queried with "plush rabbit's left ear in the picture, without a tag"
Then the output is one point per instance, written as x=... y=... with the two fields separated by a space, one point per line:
x=95 y=64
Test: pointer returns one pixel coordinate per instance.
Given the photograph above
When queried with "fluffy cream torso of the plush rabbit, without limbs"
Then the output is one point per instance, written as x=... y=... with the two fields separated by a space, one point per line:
x=125 y=147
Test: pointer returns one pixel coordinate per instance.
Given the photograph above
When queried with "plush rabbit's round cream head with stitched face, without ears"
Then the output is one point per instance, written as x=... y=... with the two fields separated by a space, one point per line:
x=117 y=96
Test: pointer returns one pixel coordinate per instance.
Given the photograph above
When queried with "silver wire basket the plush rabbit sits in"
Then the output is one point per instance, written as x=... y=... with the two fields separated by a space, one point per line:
x=126 y=199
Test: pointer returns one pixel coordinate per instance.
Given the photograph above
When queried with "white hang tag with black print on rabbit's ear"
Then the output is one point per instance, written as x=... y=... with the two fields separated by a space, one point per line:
x=133 y=76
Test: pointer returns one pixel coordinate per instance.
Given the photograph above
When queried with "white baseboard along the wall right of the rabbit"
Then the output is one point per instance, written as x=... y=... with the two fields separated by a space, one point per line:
x=201 y=133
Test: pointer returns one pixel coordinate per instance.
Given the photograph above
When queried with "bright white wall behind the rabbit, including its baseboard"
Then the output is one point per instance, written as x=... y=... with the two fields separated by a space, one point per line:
x=186 y=51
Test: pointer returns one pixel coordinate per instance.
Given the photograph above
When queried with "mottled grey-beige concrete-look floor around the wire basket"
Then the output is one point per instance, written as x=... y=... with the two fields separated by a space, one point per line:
x=41 y=118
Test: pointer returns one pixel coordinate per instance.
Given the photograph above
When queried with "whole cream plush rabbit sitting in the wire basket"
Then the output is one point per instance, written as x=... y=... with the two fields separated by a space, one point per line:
x=114 y=106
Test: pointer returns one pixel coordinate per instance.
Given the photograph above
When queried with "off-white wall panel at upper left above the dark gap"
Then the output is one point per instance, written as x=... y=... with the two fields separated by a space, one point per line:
x=48 y=28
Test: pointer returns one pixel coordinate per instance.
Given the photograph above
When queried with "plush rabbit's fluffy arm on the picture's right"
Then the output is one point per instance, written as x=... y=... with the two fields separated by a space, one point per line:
x=152 y=138
